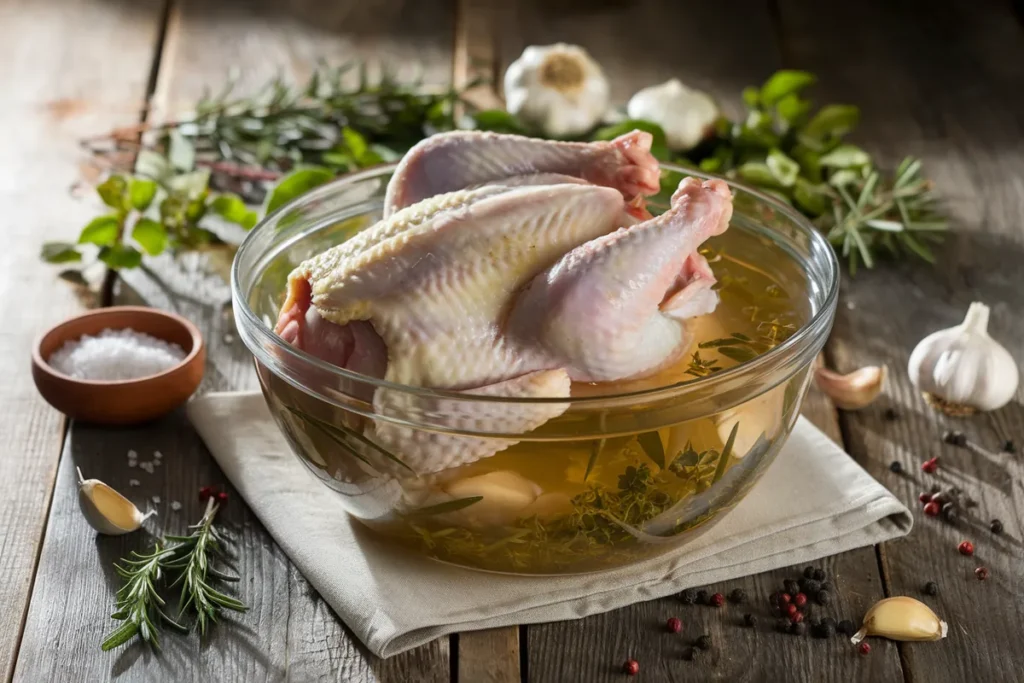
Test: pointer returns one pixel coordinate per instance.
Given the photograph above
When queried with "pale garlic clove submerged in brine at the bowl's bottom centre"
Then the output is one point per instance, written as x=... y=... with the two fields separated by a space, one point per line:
x=505 y=495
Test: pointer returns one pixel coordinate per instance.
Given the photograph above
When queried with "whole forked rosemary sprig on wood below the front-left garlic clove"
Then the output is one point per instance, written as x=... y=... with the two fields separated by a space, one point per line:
x=191 y=559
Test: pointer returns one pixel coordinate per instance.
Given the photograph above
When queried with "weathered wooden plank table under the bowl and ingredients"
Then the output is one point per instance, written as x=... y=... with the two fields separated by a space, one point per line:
x=943 y=81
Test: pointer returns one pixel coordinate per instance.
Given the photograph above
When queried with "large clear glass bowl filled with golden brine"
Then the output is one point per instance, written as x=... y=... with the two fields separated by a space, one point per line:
x=615 y=479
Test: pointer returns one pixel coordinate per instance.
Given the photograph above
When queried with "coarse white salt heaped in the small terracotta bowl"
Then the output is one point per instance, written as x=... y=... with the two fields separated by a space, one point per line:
x=116 y=355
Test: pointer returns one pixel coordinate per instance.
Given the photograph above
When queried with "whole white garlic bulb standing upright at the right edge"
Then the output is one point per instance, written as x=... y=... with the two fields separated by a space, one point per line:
x=963 y=369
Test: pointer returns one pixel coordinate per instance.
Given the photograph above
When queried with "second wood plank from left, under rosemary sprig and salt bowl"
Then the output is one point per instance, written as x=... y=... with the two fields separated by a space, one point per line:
x=289 y=633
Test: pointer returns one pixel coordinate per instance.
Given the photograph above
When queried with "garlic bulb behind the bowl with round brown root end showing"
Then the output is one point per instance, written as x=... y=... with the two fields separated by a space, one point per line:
x=558 y=90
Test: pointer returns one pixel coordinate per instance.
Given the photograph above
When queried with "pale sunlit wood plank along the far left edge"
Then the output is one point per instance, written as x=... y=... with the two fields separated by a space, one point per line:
x=68 y=68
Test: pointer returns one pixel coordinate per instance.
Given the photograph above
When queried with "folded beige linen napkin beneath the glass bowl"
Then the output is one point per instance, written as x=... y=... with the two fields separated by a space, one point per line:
x=814 y=501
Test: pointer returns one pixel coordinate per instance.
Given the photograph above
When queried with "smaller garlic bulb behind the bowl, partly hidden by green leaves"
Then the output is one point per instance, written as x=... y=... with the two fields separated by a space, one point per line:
x=687 y=116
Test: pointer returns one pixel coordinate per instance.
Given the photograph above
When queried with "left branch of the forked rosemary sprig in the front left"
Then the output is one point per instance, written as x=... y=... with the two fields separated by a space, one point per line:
x=139 y=604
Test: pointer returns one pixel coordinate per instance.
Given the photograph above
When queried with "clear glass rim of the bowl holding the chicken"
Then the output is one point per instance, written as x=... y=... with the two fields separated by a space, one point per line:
x=816 y=328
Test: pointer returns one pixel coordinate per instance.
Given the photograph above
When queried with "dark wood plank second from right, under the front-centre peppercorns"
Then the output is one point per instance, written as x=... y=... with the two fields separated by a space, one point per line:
x=699 y=45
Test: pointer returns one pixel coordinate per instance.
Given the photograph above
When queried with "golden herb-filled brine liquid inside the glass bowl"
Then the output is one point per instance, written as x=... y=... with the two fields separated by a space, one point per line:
x=551 y=507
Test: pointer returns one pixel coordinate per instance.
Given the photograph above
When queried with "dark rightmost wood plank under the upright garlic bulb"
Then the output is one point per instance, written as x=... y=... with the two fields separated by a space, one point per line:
x=945 y=86
